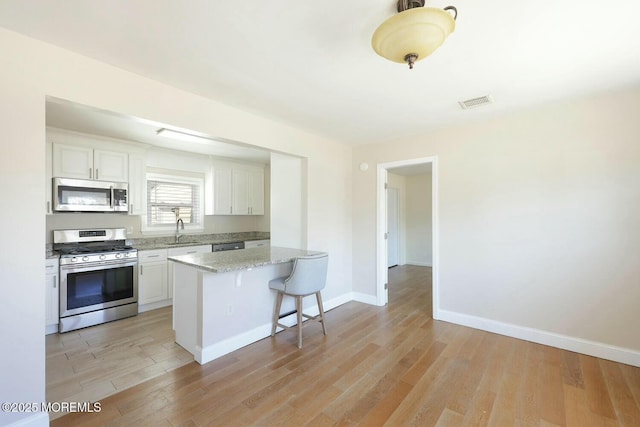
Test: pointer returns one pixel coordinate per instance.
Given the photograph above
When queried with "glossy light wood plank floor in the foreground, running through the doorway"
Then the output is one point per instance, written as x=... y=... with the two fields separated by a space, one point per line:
x=390 y=366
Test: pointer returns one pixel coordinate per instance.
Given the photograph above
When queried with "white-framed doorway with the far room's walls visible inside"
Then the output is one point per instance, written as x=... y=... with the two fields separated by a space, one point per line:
x=416 y=241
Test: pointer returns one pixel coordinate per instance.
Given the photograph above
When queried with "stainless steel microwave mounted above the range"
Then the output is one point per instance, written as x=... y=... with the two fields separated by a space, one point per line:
x=79 y=195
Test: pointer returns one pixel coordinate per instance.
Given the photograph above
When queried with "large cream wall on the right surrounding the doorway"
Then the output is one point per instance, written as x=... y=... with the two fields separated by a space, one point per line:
x=539 y=215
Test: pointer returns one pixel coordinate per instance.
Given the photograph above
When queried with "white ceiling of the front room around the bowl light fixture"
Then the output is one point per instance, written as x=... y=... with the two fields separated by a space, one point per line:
x=311 y=65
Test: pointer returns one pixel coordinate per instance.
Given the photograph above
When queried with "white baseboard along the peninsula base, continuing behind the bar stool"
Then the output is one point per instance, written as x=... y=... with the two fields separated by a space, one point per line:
x=219 y=349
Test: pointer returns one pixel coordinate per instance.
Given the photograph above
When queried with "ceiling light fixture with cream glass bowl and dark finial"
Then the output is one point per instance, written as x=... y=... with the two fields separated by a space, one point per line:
x=414 y=33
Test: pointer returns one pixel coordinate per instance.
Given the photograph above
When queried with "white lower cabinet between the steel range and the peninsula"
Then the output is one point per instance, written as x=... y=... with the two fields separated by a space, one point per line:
x=152 y=279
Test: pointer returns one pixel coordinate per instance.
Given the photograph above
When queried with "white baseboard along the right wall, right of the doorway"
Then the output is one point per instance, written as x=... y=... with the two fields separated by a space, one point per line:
x=578 y=345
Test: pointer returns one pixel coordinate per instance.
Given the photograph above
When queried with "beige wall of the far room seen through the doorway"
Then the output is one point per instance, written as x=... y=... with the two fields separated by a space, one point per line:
x=418 y=220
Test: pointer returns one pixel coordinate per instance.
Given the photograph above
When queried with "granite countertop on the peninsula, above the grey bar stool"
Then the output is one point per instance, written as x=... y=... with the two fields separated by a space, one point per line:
x=241 y=259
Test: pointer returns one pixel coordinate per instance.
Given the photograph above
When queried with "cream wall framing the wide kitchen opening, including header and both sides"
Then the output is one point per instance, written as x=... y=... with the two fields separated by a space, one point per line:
x=31 y=70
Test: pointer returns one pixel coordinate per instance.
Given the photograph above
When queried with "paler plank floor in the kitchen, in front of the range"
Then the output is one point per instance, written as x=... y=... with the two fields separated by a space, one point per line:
x=90 y=364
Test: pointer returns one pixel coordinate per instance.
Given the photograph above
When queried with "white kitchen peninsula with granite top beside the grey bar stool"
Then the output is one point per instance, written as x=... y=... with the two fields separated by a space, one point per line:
x=222 y=300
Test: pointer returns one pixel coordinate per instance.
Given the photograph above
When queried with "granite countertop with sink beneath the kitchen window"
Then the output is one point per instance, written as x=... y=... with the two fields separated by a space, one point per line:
x=149 y=243
